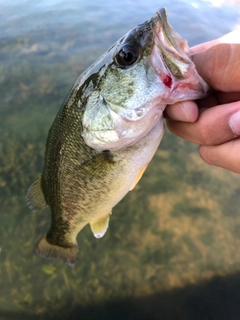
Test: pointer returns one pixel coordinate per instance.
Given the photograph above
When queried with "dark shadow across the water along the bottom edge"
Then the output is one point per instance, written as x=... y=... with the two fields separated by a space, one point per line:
x=215 y=299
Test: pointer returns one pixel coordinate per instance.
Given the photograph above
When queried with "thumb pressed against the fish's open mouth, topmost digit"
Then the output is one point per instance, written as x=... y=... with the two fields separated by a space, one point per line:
x=219 y=66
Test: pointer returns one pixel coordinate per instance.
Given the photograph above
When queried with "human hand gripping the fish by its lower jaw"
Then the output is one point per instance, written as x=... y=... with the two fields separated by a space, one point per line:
x=214 y=122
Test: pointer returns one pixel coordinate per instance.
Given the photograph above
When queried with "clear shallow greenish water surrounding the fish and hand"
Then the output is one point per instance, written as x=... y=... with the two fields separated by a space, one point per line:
x=172 y=249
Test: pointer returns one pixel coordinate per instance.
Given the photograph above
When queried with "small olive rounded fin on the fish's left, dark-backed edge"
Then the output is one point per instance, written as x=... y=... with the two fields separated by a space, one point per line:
x=35 y=197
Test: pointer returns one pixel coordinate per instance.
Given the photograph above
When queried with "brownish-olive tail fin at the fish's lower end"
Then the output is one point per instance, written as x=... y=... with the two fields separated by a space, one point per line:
x=51 y=251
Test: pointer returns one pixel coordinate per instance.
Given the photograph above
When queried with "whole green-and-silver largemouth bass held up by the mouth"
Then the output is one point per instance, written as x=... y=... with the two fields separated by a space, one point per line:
x=108 y=130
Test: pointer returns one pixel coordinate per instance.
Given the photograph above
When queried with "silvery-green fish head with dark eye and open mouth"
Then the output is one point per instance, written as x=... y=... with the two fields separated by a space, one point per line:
x=129 y=87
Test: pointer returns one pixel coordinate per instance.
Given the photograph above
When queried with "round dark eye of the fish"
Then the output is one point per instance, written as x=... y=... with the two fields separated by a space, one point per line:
x=127 y=55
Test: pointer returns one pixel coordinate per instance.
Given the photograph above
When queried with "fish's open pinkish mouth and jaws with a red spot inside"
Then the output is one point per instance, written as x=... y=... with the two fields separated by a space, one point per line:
x=171 y=58
